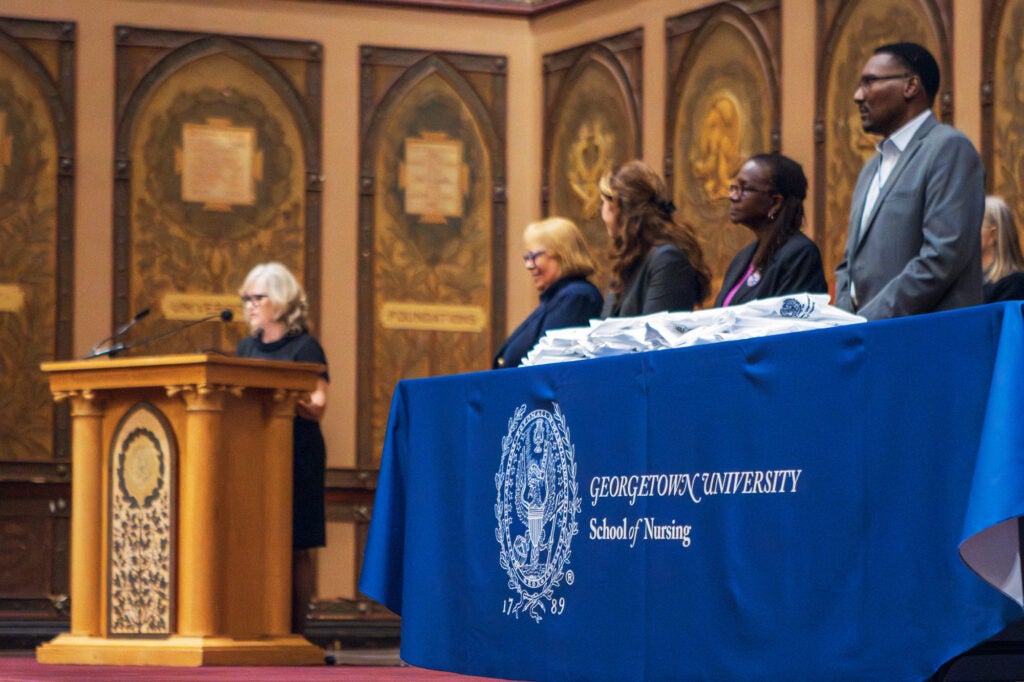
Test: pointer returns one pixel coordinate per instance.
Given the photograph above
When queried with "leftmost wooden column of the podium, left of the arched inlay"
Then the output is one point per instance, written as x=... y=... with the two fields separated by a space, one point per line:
x=87 y=513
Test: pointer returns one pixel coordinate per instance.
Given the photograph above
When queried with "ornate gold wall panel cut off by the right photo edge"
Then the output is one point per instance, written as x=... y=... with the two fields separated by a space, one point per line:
x=1003 y=103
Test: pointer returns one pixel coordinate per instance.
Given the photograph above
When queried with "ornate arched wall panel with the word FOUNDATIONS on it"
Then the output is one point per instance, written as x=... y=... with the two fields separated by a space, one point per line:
x=432 y=223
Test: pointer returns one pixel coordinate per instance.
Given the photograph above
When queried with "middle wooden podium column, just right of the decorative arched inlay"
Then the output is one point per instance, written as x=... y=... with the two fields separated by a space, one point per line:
x=200 y=537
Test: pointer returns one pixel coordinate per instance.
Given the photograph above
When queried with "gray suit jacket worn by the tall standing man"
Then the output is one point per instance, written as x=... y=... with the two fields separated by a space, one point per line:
x=920 y=250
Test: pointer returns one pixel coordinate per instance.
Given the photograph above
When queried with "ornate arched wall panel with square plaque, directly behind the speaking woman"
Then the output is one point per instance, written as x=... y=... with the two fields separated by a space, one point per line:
x=218 y=168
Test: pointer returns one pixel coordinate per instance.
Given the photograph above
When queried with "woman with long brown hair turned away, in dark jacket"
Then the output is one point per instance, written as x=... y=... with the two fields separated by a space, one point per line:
x=657 y=263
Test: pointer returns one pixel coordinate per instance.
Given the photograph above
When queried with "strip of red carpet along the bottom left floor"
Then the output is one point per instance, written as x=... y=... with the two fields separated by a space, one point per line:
x=24 y=668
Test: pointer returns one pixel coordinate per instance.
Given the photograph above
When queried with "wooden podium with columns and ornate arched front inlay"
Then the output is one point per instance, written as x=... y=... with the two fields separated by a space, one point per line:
x=182 y=507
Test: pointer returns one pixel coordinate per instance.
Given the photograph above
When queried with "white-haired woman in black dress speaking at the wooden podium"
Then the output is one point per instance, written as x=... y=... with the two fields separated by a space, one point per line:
x=276 y=311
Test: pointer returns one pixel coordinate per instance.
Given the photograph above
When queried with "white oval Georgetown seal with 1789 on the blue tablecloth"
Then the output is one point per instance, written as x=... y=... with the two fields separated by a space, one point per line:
x=537 y=508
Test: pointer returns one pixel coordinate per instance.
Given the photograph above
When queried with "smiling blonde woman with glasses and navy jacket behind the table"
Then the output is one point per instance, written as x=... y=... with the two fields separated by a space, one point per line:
x=559 y=263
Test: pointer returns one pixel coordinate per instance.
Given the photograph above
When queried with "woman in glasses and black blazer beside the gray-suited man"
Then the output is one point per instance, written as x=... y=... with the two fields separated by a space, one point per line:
x=769 y=199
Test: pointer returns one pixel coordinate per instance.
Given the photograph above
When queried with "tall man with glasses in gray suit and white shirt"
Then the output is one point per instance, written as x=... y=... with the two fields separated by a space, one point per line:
x=914 y=243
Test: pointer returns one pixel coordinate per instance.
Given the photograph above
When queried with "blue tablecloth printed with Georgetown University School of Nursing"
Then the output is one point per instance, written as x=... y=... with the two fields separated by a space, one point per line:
x=791 y=507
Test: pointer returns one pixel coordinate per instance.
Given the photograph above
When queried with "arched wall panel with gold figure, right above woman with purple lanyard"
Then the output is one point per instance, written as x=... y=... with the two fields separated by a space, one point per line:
x=722 y=107
